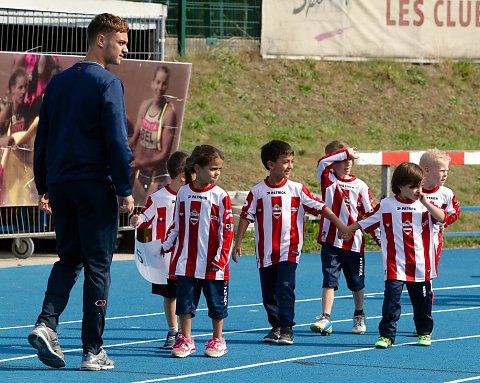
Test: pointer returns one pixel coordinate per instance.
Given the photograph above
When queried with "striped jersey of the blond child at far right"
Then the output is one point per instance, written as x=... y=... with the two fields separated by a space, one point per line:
x=444 y=198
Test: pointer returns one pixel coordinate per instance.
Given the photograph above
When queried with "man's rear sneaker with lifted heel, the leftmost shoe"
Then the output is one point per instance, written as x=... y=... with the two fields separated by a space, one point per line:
x=46 y=343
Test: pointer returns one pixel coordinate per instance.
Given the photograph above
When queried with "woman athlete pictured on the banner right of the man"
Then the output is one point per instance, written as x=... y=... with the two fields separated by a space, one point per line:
x=152 y=139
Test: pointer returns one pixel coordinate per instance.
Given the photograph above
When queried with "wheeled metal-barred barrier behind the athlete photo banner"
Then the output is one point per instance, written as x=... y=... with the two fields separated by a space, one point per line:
x=61 y=33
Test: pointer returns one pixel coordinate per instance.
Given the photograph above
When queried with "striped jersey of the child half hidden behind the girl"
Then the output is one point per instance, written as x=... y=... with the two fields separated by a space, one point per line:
x=158 y=213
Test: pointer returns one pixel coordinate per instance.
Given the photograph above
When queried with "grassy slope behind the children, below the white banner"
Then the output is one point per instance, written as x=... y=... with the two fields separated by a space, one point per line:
x=238 y=102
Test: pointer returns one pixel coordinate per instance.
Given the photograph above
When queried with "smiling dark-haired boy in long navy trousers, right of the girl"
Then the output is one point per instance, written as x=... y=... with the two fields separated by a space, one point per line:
x=278 y=206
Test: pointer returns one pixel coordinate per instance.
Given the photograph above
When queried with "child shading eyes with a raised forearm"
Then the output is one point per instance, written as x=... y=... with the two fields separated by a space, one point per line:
x=350 y=199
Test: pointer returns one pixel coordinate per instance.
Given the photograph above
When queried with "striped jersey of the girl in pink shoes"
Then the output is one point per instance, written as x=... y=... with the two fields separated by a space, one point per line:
x=203 y=231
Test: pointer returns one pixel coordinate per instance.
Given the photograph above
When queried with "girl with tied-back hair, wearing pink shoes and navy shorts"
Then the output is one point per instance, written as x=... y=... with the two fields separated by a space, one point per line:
x=202 y=234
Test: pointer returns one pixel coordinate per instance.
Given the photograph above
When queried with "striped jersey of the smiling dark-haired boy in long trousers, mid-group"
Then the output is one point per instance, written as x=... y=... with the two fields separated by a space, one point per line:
x=278 y=213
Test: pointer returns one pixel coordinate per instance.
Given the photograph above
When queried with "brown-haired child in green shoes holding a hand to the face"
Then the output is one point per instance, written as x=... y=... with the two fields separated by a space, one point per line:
x=406 y=222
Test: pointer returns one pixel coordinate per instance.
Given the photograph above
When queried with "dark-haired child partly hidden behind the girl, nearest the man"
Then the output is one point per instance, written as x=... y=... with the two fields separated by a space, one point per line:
x=158 y=213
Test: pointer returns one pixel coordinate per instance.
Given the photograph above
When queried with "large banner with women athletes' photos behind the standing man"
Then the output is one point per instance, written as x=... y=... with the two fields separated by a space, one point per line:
x=155 y=96
